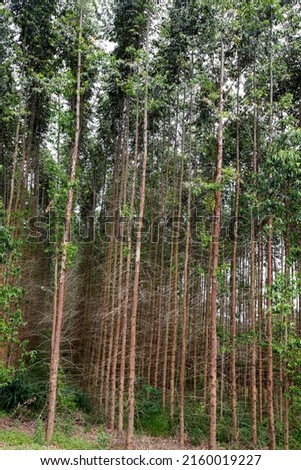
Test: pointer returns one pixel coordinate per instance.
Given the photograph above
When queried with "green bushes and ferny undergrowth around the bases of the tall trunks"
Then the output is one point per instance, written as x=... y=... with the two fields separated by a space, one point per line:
x=24 y=398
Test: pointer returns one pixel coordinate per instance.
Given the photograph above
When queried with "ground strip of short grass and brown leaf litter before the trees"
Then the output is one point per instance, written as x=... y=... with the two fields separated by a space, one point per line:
x=16 y=433
